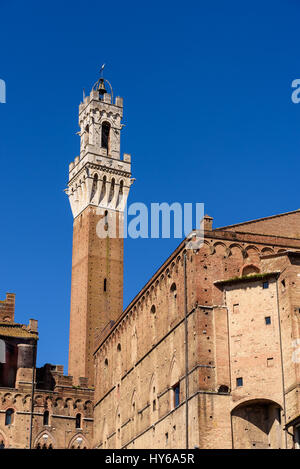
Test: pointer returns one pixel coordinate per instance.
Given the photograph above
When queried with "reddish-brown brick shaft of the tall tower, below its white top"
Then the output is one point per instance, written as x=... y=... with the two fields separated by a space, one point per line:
x=94 y=260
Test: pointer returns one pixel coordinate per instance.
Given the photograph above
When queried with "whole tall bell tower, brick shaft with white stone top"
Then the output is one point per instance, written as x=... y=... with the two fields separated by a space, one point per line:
x=99 y=183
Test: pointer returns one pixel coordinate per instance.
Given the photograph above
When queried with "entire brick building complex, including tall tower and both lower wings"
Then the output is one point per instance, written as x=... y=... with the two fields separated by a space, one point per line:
x=206 y=355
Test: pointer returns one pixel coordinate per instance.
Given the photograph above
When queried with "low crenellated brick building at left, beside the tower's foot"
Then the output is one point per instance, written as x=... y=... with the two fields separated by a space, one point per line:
x=61 y=415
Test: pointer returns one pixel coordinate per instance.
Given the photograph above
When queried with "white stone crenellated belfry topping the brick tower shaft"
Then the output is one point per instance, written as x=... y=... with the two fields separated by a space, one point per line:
x=98 y=176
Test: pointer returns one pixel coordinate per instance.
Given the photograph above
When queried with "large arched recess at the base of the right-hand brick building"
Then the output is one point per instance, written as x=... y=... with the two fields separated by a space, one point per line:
x=256 y=424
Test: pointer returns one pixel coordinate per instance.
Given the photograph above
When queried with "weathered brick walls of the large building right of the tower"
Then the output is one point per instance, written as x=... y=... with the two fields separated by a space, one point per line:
x=222 y=346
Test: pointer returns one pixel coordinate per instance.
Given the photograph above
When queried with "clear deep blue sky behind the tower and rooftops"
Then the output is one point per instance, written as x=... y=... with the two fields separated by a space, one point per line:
x=208 y=113
